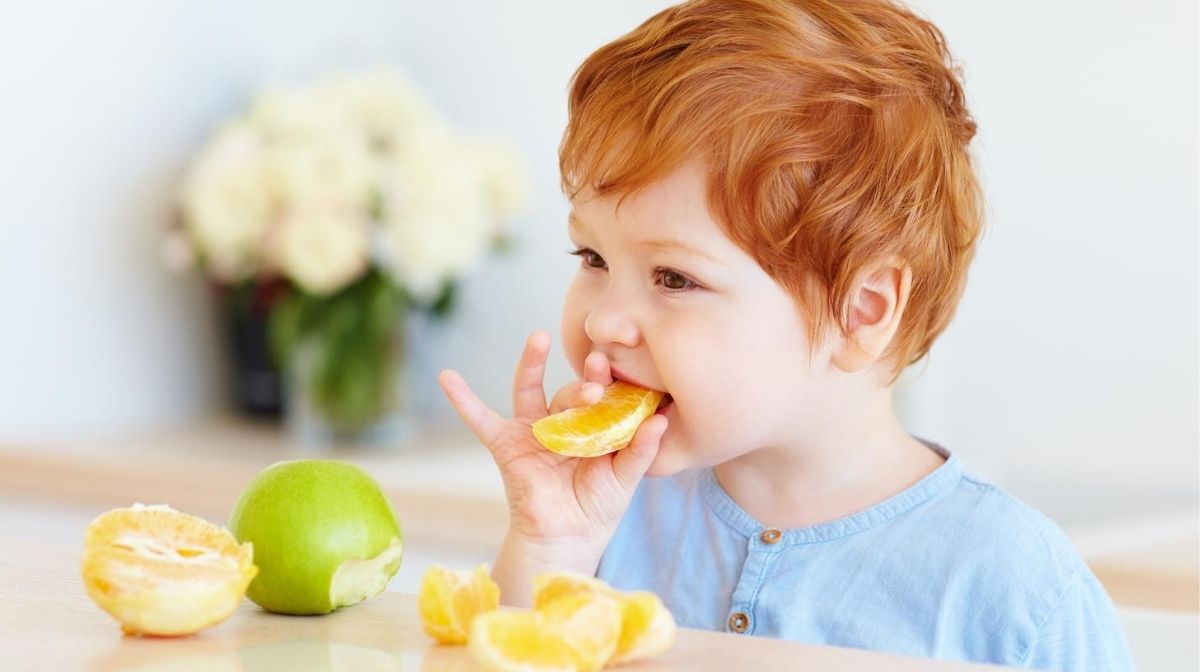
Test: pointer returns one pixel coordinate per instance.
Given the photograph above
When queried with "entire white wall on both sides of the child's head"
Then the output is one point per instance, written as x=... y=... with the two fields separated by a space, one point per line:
x=1075 y=351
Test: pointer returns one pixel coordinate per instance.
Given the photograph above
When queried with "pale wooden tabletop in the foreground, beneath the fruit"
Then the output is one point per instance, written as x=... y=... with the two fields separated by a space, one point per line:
x=47 y=622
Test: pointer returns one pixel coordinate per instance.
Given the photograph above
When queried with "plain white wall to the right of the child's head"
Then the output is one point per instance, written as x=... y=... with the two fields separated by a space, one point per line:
x=1075 y=351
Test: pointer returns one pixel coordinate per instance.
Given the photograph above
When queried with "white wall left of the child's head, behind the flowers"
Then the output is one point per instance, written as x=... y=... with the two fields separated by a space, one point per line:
x=105 y=103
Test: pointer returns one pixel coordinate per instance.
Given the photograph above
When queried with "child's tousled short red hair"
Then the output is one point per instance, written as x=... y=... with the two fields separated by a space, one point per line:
x=835 y=134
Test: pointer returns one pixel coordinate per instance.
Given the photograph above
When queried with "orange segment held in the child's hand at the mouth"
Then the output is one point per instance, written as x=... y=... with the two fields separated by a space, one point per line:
x=603 y=428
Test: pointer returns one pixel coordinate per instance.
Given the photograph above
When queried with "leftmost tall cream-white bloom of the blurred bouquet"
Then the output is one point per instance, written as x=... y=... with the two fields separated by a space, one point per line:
x=229 y=202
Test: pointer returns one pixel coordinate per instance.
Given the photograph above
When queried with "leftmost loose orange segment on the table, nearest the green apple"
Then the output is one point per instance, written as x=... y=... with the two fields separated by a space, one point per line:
x=451 y=601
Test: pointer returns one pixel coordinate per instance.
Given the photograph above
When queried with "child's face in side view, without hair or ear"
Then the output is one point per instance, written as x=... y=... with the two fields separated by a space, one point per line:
x=710 y=328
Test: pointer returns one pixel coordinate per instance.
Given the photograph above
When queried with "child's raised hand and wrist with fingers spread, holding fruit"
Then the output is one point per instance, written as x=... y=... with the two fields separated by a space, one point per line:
x=562 y=511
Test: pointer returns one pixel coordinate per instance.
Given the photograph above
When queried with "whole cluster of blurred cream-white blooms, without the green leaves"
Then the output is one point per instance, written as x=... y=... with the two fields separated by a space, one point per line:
x=320 y=183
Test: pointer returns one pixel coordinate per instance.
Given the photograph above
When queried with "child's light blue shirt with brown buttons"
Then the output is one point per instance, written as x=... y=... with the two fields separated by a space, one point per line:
x=951 y=568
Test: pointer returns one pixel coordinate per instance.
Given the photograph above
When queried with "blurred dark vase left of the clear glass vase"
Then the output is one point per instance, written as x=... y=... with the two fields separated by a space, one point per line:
x=257 y=383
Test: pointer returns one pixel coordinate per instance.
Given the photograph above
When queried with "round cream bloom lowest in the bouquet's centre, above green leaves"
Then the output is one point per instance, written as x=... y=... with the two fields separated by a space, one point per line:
x=322 y=247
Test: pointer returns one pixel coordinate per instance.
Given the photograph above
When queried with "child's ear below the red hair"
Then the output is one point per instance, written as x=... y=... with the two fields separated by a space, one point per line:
x=877 y=305
